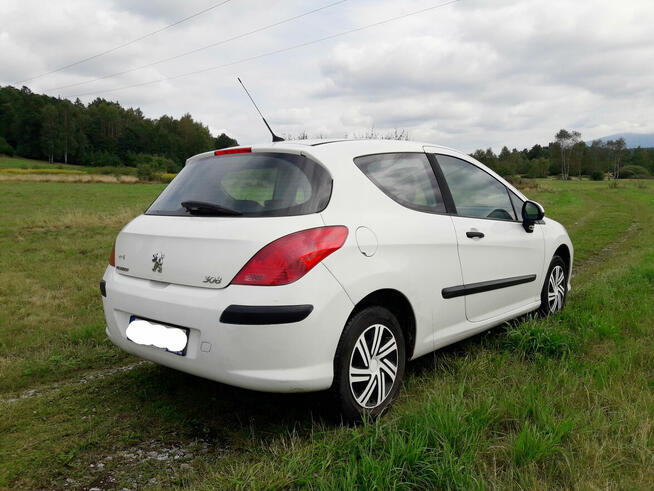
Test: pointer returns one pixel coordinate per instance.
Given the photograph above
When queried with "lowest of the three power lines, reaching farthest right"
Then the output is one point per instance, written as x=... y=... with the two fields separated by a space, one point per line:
x=278 y=51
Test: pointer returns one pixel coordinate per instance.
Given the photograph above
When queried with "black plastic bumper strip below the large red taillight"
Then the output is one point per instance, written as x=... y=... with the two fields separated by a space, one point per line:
x=260 y=315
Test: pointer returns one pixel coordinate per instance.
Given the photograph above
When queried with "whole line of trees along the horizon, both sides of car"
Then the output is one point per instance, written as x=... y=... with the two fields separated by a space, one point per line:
x=103 y=133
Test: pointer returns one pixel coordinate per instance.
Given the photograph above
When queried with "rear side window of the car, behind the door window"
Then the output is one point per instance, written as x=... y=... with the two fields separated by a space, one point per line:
x=406 y=178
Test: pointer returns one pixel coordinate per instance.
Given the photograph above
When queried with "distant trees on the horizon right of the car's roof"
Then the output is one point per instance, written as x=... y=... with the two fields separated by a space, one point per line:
x=569 y=156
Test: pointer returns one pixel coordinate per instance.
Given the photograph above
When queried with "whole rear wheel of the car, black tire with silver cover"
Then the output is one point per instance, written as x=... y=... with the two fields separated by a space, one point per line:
x=369 y=364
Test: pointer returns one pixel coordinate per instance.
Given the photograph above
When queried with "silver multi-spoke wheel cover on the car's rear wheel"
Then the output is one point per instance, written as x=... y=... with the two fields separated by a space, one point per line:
x=373 y=366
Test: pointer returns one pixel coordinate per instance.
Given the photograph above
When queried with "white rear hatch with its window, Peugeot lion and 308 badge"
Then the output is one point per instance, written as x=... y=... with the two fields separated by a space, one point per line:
x=218 y=213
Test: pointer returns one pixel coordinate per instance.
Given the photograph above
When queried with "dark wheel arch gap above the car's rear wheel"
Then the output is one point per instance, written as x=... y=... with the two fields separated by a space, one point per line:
x=396 y=302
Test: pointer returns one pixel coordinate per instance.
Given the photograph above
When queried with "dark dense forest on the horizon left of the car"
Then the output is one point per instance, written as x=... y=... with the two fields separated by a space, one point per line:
x=102 y=133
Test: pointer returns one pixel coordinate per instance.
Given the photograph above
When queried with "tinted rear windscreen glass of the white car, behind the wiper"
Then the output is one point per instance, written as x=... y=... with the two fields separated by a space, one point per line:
x=249 y=184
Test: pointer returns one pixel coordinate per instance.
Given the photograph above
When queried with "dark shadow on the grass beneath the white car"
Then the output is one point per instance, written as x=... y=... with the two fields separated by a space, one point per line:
x=195 y=408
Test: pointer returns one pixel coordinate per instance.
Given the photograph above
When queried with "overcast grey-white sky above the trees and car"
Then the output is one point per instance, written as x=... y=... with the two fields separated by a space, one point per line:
x=472 y=74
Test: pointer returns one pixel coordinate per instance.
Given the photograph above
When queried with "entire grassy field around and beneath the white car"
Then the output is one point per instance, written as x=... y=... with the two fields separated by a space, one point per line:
x=564 y=402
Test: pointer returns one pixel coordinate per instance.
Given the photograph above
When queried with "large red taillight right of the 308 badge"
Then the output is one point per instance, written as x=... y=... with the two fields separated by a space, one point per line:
x=289 y=258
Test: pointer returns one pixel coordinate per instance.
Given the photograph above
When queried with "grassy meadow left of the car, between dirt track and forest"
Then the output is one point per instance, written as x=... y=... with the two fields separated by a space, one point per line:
x=55 y=240
